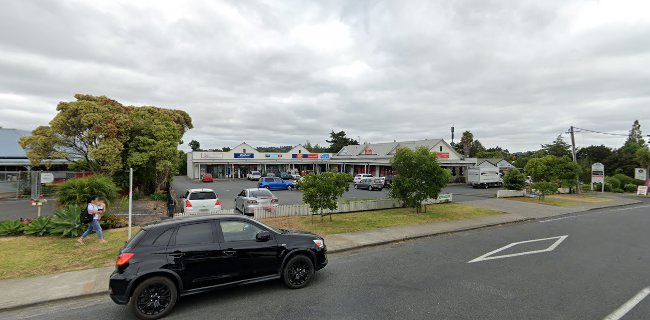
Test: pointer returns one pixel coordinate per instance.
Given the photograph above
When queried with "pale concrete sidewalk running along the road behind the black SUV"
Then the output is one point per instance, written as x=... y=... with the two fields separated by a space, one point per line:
x=29 y=291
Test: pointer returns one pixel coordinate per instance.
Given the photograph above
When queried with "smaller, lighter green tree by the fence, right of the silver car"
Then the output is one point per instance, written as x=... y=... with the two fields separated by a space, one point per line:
x=322 y=191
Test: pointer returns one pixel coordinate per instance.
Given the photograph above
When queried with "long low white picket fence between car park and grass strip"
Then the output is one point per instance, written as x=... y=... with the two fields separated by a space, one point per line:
x=342 y=207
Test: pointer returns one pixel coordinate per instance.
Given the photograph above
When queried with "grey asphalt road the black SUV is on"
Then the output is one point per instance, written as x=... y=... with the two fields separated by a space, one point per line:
x=602 y=263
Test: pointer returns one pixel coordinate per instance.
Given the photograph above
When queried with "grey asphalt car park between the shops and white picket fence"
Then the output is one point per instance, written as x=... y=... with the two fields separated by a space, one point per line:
x=228 y=189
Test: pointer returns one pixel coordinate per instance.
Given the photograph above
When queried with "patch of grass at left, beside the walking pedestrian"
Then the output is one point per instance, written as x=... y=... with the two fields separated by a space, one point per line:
x=26 y=256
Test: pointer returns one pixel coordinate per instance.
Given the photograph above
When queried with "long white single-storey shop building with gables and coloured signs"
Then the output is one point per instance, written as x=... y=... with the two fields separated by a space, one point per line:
x=373 y=158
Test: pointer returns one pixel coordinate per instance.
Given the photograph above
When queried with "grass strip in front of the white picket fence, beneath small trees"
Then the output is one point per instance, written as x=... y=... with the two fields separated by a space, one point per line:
x=361 y=221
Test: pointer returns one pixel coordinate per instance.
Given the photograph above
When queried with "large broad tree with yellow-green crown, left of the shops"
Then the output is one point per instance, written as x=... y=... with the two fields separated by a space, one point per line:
x=101 y=135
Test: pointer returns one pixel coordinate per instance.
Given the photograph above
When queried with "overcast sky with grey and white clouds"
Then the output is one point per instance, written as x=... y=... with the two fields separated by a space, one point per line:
x=515 y=73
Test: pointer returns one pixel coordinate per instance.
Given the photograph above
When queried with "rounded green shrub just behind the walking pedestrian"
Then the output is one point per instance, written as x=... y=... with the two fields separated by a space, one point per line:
x=77 y=191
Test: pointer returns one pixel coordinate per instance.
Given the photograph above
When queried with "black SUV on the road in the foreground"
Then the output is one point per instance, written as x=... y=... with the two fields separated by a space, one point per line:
x=187 y=256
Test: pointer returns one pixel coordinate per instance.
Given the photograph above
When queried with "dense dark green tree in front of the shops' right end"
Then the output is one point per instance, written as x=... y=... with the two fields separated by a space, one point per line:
x=419 y=177
